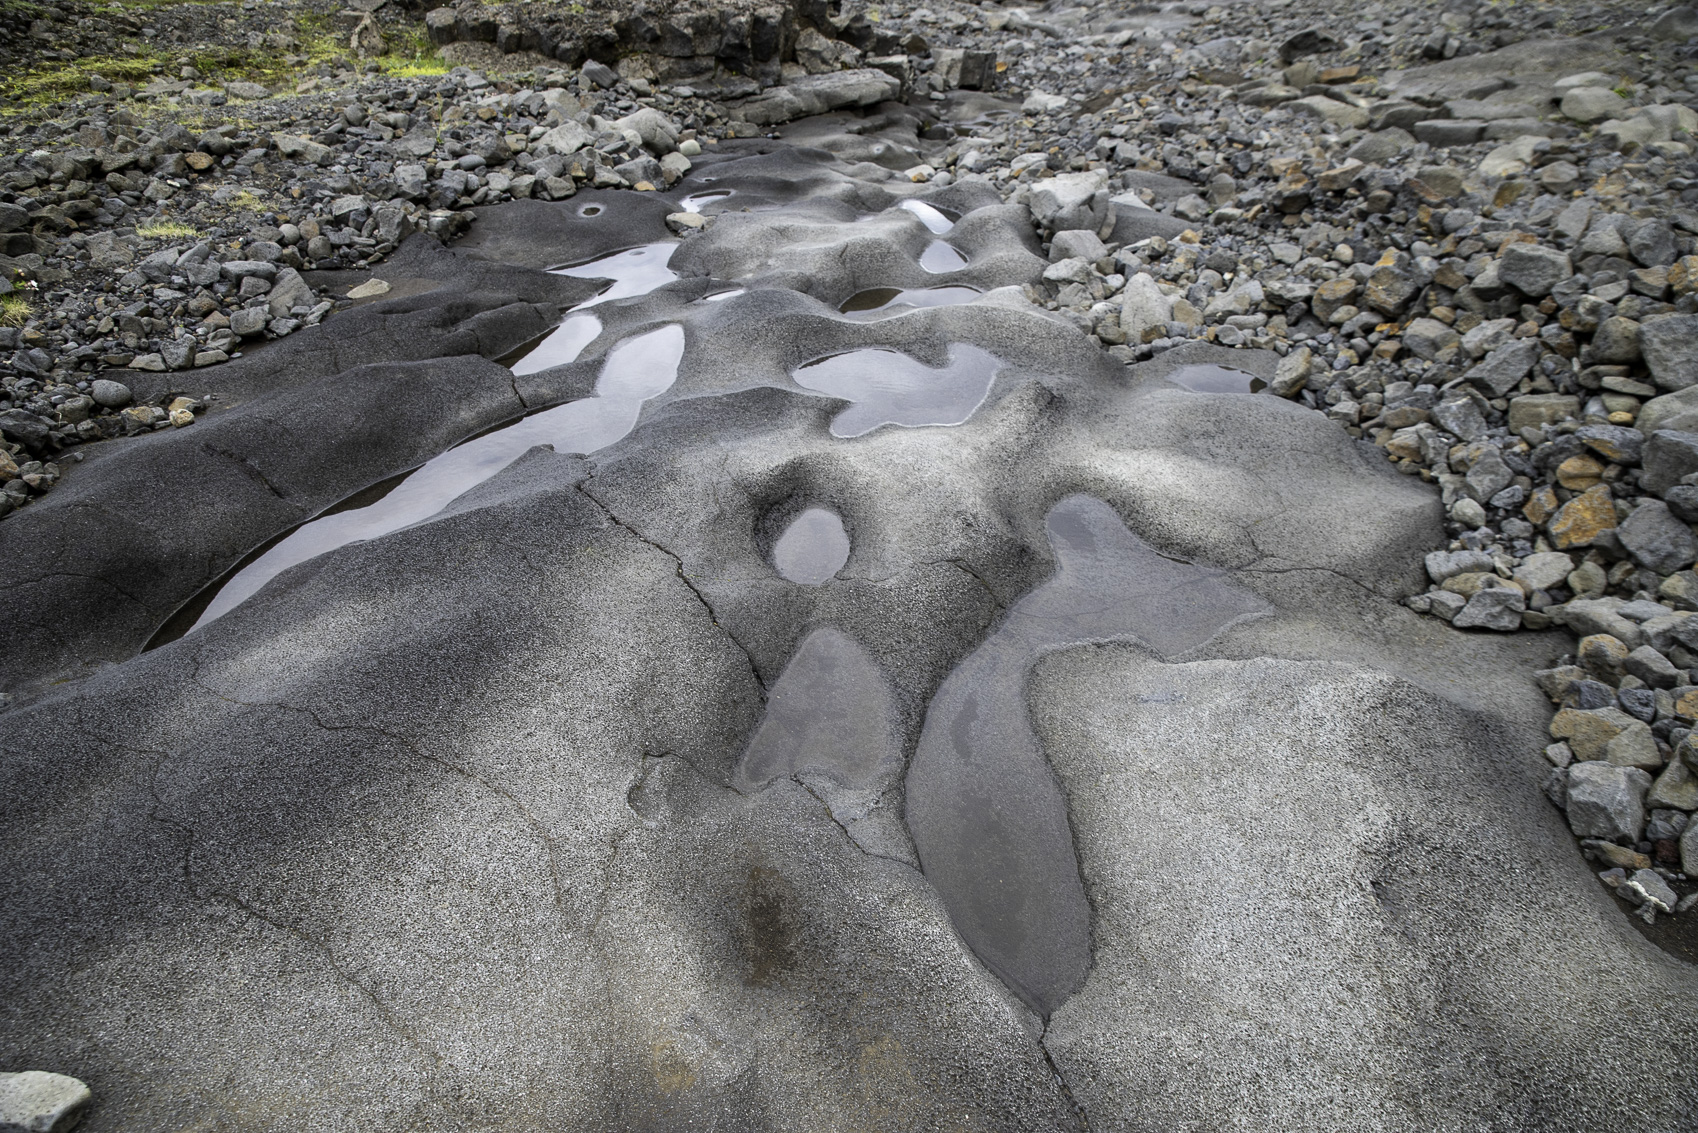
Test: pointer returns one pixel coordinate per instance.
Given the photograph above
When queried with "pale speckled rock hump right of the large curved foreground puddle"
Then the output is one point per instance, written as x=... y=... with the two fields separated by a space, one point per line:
x=1317 y=930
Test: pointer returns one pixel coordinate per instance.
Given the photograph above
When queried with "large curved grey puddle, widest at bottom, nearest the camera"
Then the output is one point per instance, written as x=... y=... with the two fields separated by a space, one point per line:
x=986 y=811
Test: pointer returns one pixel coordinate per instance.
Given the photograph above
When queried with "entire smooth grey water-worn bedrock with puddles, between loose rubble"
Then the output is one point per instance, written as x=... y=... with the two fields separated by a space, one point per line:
x=748 y=655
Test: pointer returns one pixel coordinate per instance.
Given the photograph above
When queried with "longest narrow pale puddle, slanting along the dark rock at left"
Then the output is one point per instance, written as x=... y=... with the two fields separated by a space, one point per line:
x=634 y=371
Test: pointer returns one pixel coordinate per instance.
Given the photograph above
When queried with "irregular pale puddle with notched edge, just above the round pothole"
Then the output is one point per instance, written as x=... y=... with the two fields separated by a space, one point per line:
x=891 y=388
